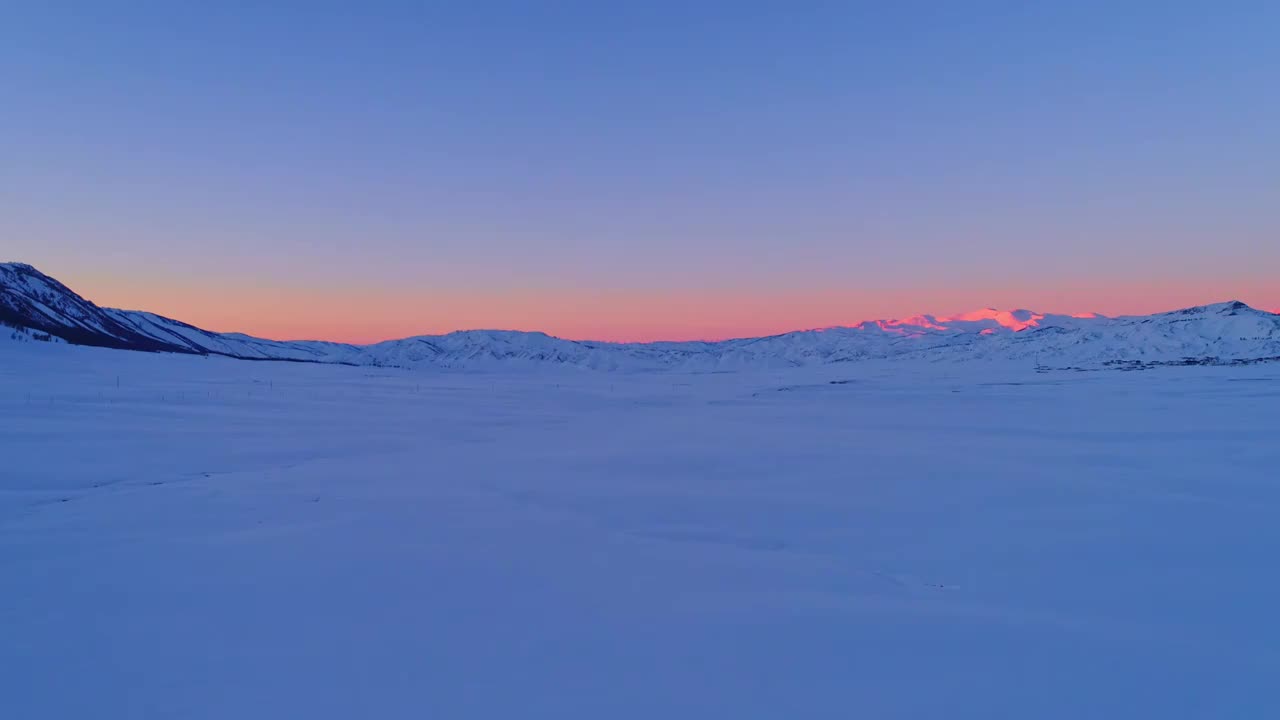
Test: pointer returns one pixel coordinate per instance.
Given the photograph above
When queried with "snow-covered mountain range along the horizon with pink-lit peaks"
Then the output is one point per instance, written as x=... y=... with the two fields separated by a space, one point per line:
x=36 y=306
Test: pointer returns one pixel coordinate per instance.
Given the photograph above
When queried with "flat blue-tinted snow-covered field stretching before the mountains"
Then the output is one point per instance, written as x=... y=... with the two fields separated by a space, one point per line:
x=190 y=537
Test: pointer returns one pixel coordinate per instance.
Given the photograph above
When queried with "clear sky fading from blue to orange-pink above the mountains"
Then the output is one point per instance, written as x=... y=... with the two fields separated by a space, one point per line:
x=639 y=171
